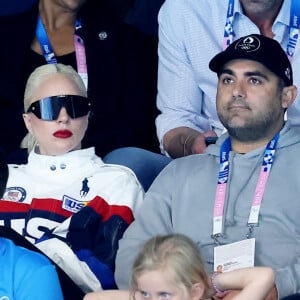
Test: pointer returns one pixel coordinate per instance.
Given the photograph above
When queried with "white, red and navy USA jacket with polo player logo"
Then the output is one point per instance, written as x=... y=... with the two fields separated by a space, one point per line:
x=75 y=209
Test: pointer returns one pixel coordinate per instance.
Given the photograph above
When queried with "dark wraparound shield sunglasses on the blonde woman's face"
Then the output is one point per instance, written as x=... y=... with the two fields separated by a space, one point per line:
x=48 y=108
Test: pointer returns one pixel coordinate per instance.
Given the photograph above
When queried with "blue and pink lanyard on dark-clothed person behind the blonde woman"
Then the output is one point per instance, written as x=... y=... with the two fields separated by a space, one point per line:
x=49 y=53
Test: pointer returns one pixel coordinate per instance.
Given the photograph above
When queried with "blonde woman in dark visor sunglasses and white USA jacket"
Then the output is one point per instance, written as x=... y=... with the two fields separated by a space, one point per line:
x=66 y=200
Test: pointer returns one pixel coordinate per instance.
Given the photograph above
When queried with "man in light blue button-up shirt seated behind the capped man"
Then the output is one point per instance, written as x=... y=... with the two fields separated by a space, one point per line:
x=191 y=32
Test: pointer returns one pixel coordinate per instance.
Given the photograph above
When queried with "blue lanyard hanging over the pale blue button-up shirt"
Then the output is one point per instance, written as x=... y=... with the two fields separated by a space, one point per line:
x=294 y=27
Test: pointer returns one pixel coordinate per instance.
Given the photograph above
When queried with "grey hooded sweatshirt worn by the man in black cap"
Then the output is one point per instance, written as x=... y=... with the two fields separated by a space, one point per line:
x=181 y=199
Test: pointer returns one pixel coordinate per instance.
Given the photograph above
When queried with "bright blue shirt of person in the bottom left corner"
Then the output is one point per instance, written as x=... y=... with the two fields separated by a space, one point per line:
x=26 y=275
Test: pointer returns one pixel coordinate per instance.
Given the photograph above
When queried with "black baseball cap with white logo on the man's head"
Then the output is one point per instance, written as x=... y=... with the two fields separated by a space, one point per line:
x=260 y=48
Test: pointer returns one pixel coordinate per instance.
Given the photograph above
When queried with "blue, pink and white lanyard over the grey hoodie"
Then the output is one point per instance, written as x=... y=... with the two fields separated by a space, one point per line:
x=220 y=196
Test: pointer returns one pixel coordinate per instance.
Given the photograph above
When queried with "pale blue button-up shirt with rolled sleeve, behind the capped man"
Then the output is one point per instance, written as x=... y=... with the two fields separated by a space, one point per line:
x=190 y=33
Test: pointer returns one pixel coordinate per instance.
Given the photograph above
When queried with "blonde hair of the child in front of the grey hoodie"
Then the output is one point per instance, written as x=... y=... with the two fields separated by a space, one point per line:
x=178 y=255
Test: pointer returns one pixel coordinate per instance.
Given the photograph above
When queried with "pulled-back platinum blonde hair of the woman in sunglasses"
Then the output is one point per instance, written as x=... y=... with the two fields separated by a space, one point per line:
x=39 y=75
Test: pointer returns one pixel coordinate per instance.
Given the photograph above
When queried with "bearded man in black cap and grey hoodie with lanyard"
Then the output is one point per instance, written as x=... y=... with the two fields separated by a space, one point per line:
x=245 y=188
